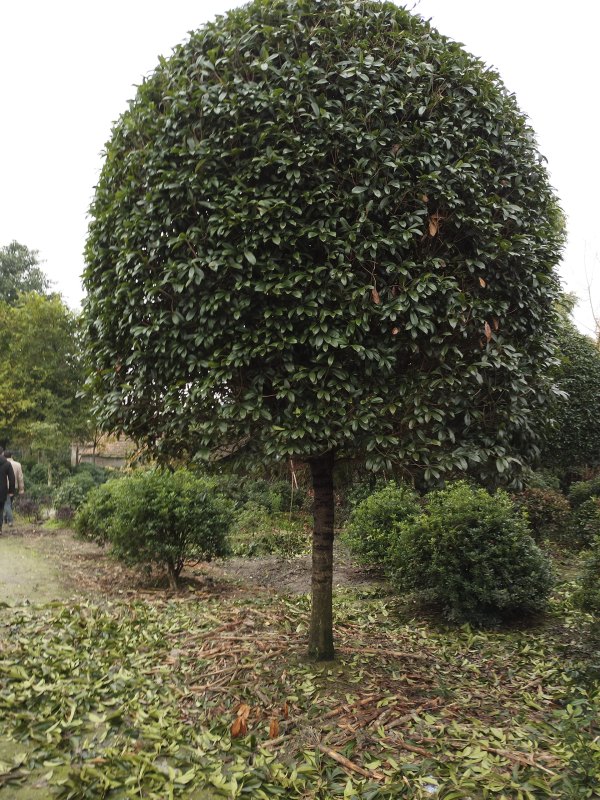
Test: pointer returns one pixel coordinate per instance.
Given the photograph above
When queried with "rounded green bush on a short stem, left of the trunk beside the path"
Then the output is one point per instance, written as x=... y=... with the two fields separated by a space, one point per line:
x=159 y=517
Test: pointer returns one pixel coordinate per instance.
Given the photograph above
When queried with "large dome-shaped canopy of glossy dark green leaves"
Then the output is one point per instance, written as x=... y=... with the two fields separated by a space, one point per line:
x=322 y=226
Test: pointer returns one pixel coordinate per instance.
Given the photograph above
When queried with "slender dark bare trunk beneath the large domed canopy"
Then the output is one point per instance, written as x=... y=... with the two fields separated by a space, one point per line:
x=320 y=643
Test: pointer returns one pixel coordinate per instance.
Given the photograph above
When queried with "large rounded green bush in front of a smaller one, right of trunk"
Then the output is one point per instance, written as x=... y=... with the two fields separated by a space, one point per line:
x=472 y=553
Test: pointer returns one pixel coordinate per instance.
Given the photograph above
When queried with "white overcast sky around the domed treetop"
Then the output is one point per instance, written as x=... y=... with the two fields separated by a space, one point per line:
x=69 y=67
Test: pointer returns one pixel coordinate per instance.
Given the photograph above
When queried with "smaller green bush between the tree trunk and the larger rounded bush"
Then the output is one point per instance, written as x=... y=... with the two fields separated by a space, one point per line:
x=372 y=527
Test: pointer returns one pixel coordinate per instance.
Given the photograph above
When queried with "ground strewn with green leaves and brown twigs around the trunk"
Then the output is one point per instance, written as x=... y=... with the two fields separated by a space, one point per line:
x=206 y=693
